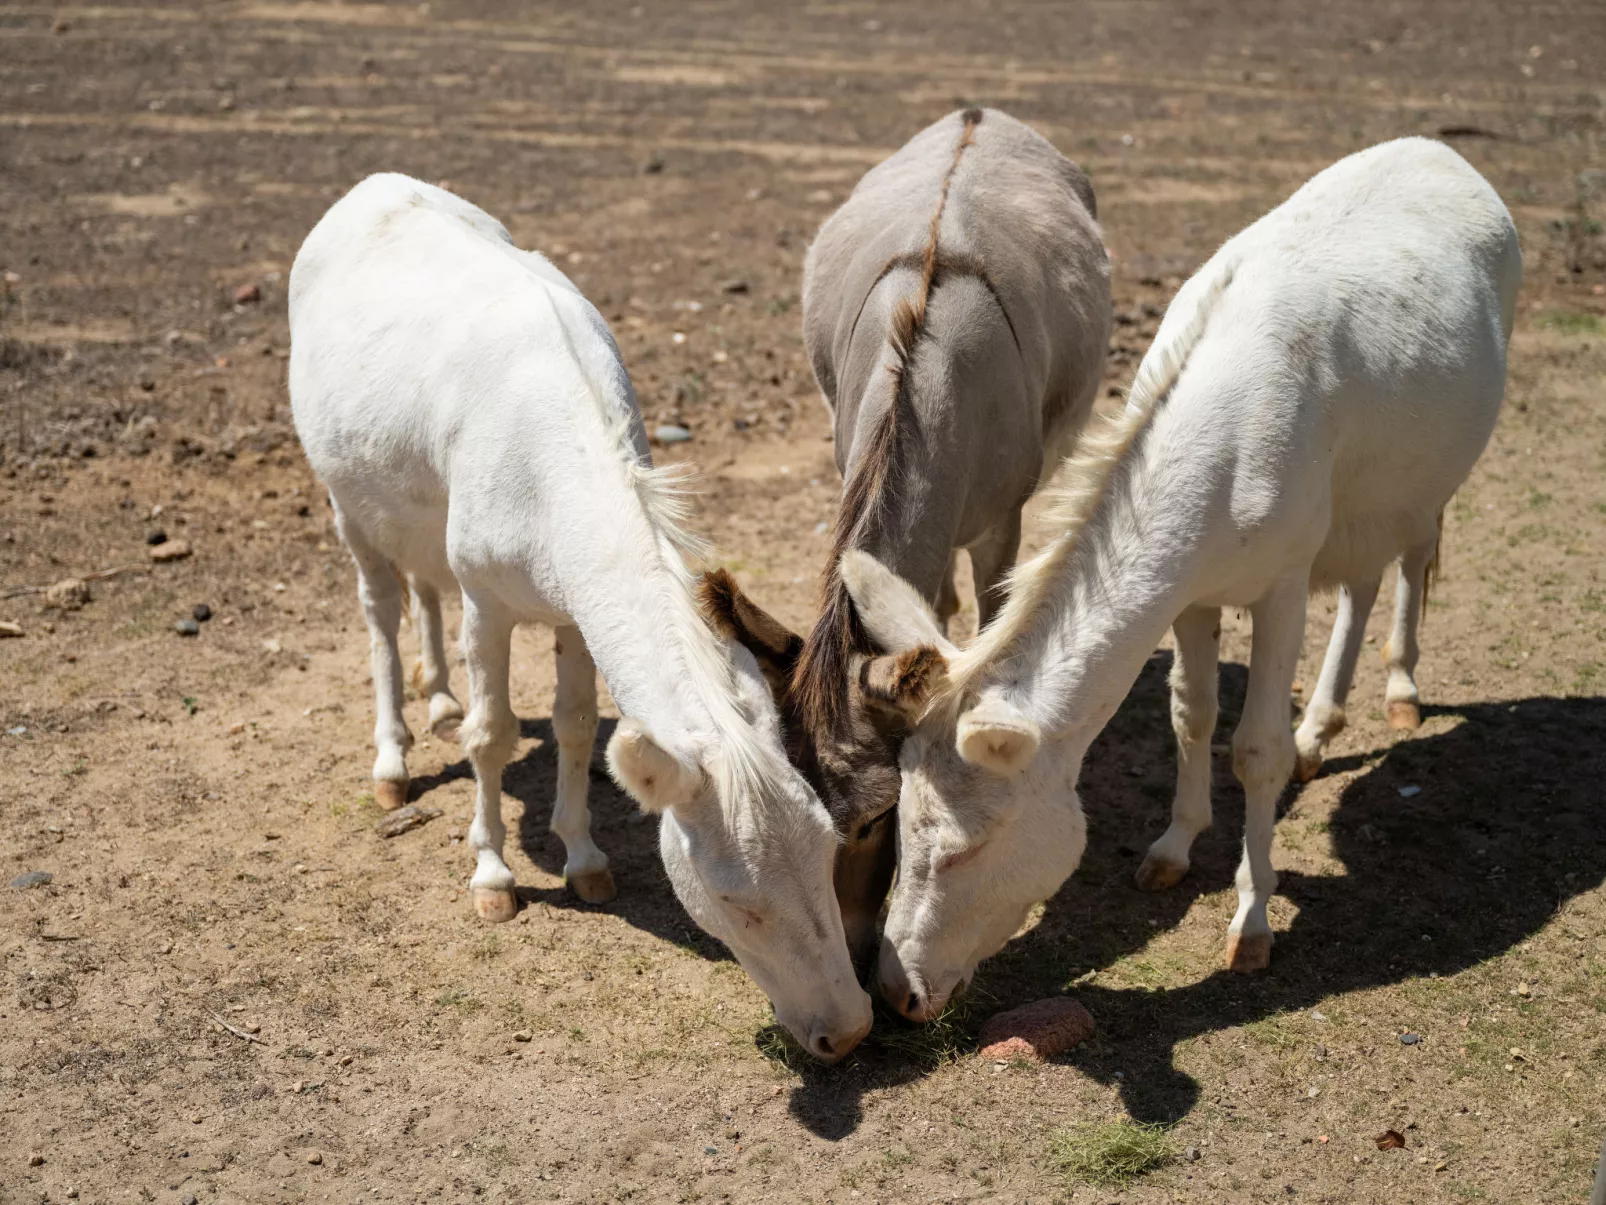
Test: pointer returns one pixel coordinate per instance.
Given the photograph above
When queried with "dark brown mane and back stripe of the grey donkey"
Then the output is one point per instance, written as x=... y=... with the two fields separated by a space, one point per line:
x=820 y=687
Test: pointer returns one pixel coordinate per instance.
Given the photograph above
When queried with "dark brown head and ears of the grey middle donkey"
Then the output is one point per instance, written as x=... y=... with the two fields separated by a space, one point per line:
x=844 y=714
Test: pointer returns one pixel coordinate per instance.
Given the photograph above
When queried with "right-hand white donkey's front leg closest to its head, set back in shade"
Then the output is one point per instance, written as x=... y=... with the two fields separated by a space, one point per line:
x=1194 y=711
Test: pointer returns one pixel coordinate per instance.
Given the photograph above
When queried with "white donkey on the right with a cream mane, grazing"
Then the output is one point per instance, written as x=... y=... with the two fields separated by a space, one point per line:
x=1316 y=394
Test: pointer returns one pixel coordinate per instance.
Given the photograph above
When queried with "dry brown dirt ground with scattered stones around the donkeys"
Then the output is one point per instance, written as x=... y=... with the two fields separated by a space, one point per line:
x=203 y=804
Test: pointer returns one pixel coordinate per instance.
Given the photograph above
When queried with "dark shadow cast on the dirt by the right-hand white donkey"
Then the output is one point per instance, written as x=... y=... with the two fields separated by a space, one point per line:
x=1506 y=828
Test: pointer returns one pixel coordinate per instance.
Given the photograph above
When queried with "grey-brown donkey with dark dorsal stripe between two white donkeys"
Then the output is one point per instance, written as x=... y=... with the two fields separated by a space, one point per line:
x=956 y=312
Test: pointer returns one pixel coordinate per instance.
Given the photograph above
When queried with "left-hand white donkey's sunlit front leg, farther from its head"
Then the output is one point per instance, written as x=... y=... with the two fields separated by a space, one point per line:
x=489 y=737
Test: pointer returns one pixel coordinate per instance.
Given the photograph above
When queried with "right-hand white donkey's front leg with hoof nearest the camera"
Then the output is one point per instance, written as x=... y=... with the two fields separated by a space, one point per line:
x=1263 y=758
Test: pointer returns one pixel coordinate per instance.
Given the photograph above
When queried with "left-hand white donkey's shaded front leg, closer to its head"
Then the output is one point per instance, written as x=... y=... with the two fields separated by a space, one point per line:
x=576 y=727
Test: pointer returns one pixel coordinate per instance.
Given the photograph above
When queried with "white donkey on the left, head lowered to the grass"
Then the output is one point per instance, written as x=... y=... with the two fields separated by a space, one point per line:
x=471 y=419
